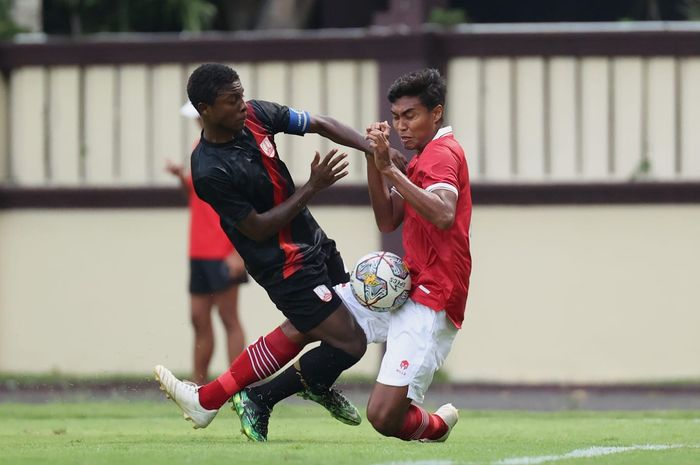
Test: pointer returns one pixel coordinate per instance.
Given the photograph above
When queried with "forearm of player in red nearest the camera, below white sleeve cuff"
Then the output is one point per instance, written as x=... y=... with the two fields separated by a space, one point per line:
x=427 y=204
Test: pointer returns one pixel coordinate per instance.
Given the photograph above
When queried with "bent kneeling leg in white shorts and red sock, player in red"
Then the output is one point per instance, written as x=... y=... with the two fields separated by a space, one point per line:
x=418 y=342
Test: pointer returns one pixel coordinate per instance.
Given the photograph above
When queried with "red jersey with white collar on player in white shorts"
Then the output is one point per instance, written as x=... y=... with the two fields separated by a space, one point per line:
x=440 y=261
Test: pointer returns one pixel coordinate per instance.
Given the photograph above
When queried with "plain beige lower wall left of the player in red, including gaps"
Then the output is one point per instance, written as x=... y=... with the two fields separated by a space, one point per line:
x=106 y=291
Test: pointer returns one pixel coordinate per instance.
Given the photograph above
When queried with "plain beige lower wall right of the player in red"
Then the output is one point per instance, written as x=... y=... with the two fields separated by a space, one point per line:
x=582 y=294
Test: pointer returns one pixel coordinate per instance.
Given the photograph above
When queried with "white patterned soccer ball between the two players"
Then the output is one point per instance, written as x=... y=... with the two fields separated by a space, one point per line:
x=380 y=281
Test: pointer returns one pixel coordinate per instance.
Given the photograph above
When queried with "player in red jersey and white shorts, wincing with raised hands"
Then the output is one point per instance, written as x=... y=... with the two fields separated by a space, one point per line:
x=433 y=201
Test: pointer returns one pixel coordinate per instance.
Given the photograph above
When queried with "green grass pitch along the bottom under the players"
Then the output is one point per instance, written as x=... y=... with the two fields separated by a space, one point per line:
x=154 y=433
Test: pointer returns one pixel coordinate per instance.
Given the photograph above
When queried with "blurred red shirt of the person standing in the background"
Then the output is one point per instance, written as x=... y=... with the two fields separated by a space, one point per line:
x=207 y=240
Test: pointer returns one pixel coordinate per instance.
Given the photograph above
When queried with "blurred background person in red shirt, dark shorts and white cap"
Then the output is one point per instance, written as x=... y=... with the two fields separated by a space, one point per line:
x=216 y=270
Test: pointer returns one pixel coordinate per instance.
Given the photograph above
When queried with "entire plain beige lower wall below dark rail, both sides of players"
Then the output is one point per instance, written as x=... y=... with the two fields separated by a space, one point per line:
x=558 y=293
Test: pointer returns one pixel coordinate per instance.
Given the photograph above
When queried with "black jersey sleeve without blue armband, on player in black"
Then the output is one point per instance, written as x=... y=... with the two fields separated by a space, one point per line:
x=218 y=191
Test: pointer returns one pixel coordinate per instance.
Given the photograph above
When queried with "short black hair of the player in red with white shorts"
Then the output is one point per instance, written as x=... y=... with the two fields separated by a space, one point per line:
x=426 y=84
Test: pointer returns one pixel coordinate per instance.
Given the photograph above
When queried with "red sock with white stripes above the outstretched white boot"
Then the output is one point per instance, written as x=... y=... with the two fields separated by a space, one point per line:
x=261 y=359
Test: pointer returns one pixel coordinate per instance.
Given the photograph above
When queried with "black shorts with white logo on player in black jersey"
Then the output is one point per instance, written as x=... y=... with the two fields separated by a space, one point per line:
x=313 y=300
